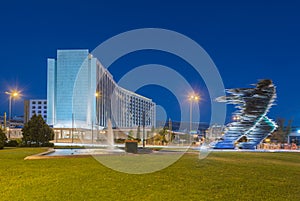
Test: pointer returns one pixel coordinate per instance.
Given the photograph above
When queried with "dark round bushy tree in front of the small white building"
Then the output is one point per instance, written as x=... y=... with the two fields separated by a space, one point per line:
x=36 y=132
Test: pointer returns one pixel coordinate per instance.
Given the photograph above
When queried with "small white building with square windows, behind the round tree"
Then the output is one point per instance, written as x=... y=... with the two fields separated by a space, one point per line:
x=35 y=106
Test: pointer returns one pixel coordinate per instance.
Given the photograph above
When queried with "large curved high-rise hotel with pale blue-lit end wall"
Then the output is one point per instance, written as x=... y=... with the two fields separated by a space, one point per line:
x=81 y=93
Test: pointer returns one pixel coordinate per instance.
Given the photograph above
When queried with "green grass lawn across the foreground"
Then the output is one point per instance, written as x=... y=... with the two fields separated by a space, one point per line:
x=221 y=176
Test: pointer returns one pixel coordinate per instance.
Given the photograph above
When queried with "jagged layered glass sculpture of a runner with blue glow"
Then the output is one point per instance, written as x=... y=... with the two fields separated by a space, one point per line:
x=253 y=104
